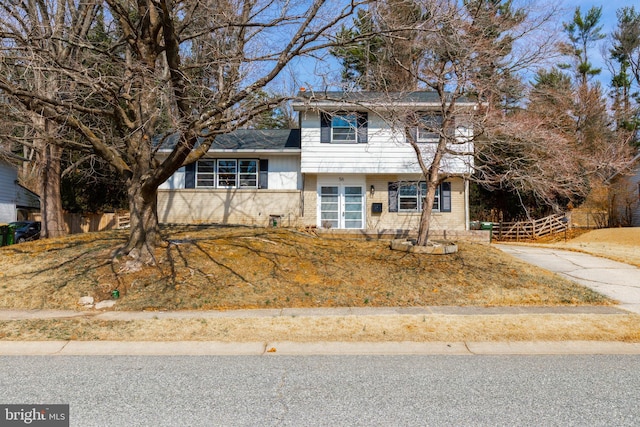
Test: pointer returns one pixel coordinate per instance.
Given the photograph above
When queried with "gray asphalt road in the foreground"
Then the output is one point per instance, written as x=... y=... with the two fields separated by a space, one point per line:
x=330 y=390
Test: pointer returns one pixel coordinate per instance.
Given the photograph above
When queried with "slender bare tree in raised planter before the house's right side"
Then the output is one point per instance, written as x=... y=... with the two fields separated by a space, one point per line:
x=470 y=53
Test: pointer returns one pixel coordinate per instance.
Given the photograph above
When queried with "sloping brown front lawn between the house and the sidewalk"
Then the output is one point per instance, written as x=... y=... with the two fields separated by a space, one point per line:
x=243 y=267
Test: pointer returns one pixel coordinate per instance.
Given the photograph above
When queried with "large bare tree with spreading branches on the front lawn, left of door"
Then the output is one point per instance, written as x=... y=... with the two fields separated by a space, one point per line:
x=139 y=71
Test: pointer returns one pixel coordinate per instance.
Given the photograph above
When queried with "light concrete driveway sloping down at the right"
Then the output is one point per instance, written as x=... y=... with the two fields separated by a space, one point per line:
x=616 y=280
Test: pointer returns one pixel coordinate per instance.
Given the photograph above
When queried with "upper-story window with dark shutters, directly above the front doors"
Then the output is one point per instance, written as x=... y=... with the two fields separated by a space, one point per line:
x=343 y=128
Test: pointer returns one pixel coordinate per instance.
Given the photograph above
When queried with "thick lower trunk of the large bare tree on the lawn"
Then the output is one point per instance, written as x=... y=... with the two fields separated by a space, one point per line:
x=144 y=235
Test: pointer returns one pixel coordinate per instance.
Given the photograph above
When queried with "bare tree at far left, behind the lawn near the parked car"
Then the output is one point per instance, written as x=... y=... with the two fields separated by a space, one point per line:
x=31 y=43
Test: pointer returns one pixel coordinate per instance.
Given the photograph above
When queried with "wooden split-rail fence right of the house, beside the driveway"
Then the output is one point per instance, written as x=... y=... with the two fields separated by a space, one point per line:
x=530 y=230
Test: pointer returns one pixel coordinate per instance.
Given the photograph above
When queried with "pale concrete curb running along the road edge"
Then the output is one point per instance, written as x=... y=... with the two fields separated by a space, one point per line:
x=327 y=348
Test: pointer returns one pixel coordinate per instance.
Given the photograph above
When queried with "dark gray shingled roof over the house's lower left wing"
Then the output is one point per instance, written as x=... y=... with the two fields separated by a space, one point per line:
x=249 y=139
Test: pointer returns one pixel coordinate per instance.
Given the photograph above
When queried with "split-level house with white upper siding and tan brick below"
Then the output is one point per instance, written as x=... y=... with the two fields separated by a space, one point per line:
x=347 y=167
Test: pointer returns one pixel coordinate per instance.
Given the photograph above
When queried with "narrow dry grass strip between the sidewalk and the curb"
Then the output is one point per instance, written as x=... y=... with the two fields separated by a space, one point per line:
x=417 y=328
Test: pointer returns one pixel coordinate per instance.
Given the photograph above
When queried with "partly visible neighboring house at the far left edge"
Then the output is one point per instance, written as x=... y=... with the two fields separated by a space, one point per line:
x=16 y=202
